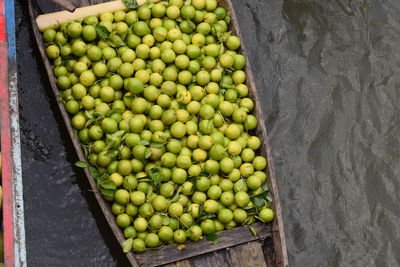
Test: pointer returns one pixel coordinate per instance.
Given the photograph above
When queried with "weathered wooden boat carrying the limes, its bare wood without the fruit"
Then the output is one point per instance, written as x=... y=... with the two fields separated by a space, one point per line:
x=236 y=247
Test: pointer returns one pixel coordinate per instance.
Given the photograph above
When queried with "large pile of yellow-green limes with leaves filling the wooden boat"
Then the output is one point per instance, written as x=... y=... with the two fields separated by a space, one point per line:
x=158 y=99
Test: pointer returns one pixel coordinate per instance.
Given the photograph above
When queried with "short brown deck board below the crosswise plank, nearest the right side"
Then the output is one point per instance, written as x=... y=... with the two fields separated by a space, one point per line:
x=249 y=254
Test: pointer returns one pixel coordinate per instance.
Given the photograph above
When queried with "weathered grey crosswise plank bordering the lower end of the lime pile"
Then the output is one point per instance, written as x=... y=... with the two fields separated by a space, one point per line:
x=229 y=238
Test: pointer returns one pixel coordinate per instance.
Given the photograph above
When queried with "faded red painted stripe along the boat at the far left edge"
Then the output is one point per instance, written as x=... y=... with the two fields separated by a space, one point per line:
x=6 y=145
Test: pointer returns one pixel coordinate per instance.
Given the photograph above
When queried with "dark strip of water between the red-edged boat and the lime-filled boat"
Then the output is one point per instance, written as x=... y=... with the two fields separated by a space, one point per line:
x=64 y=225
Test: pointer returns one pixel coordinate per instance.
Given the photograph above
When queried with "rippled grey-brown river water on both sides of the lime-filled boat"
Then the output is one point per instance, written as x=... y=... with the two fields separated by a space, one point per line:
x=328 y=77
